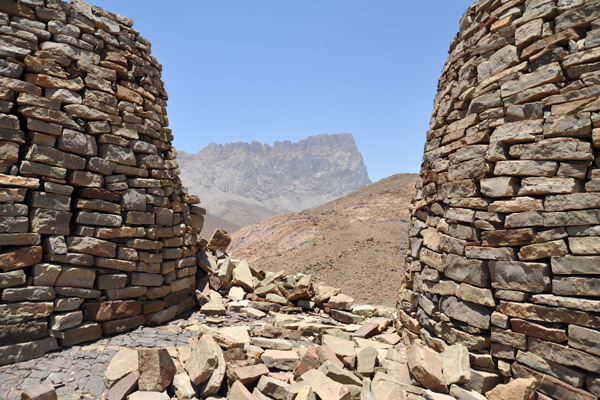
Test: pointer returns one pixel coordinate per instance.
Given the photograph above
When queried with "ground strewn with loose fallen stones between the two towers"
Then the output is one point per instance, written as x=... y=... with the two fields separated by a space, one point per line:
x=258 y=337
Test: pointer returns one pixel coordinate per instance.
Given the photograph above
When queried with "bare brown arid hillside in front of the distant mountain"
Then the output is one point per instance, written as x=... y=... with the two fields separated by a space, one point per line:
x=356 y=242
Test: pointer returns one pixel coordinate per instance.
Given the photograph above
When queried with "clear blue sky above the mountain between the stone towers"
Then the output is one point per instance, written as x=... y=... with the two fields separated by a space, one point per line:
x=274 y=70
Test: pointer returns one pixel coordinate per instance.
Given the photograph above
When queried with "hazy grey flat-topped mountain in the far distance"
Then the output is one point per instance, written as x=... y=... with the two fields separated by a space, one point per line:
x=247 y=182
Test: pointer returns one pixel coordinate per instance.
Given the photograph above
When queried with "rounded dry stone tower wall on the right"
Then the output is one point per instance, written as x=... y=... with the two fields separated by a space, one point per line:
x=505 y=234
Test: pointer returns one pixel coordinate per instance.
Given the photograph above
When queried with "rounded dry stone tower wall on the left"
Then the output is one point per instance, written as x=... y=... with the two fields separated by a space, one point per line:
x=97 y=235
